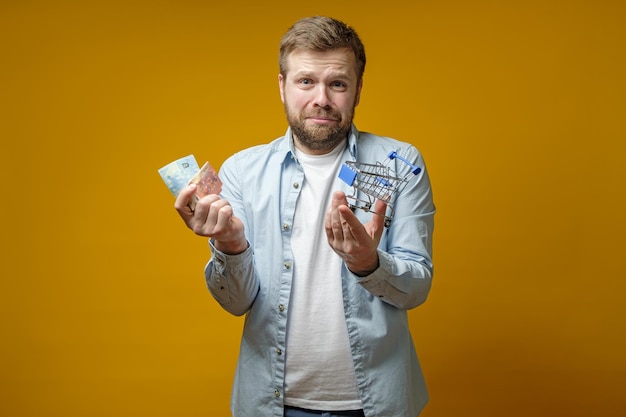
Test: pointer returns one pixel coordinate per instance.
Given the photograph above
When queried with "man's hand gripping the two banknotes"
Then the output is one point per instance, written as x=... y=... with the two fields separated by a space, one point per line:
x=213 y=217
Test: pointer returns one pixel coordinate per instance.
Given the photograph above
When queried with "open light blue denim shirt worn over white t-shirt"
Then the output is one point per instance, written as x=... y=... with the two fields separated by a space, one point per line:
x=262 y=184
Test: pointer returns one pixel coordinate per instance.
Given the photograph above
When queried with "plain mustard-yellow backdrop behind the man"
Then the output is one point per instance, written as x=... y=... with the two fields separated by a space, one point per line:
x=517 y=106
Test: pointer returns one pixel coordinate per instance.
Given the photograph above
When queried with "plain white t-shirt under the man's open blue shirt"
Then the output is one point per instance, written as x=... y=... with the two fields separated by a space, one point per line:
x=319 y=367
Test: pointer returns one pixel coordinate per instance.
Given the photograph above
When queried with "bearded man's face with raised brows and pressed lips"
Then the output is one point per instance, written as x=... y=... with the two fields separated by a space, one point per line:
x=320 y=91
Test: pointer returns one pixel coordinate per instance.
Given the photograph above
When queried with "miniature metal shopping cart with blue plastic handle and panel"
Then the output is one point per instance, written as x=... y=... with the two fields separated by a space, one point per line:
x=376 y=181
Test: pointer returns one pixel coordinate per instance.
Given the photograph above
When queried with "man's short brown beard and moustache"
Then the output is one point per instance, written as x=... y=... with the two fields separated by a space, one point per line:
x=319 y=137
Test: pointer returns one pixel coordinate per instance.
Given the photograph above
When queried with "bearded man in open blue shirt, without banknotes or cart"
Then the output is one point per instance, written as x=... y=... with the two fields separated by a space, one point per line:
x=325 y=289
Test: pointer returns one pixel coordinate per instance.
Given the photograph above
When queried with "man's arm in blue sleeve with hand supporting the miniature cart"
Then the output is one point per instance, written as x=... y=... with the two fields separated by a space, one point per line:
x=394 y=264
